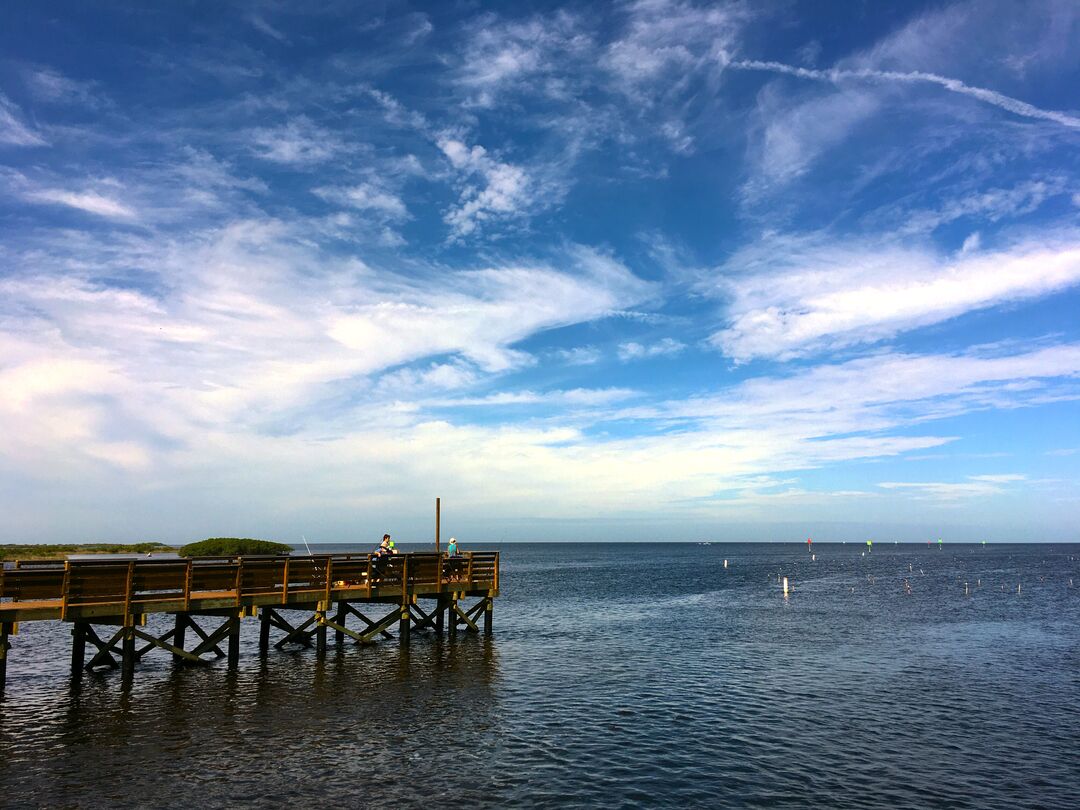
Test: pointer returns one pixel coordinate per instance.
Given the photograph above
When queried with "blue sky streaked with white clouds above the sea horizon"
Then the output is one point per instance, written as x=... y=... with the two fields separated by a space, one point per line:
x=654 y=271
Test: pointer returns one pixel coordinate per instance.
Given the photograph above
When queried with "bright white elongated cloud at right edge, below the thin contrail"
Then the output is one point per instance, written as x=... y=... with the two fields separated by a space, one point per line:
x=789 y=298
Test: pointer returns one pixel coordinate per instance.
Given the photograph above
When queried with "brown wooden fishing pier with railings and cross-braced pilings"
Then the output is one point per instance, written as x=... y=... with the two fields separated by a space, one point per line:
x=328 y=589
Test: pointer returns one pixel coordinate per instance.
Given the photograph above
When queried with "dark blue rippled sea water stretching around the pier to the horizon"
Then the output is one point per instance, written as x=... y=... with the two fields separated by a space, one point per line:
x=619 y=677
